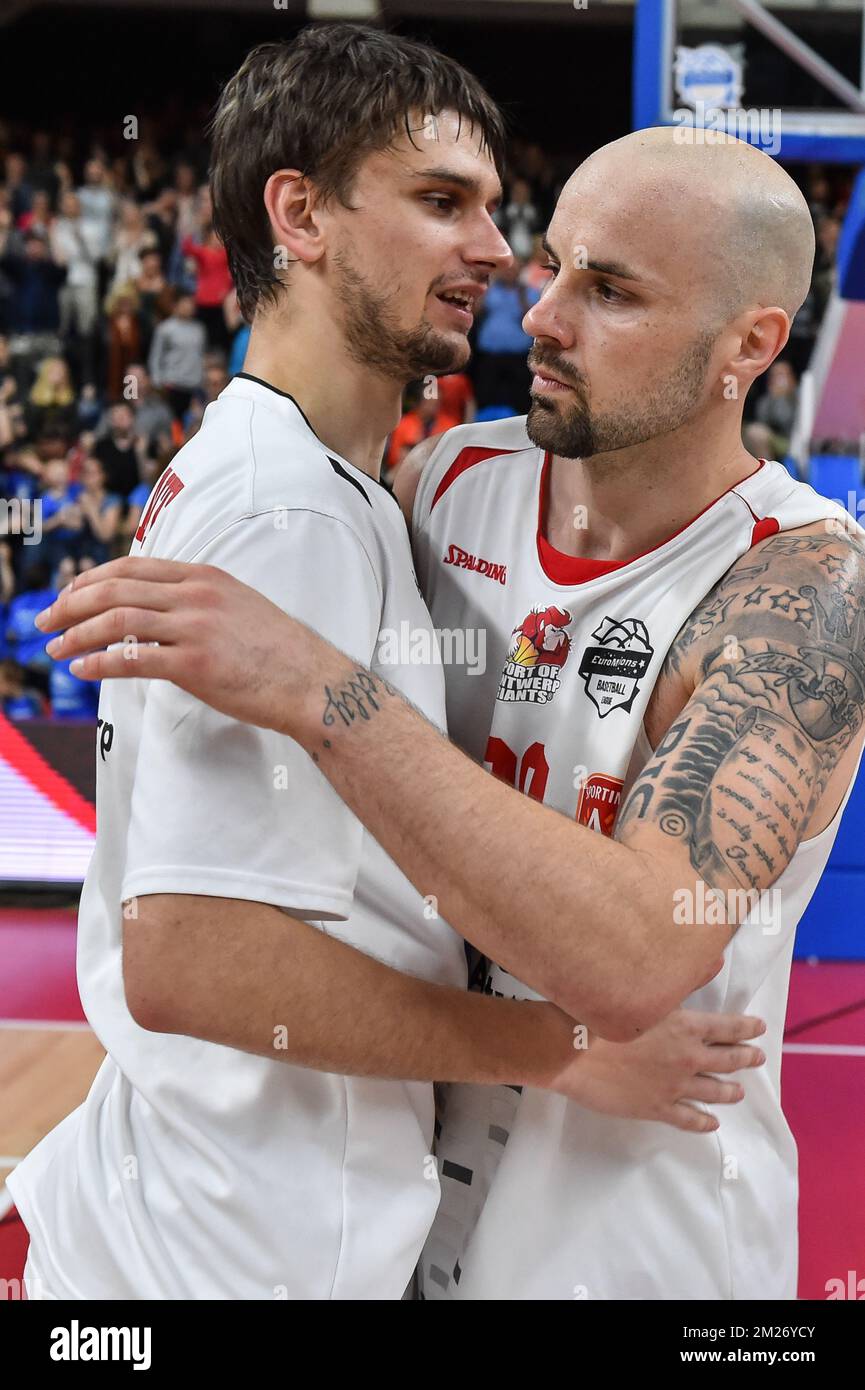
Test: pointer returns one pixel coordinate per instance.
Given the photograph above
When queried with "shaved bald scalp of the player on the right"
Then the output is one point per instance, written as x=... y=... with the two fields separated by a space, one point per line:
x=728 y=213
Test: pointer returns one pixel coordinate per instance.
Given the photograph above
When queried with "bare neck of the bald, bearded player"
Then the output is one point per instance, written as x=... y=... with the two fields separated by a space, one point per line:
x=635 y=500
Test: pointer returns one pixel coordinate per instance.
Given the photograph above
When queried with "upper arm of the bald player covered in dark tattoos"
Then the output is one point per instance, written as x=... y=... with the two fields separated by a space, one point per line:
x=777 y=657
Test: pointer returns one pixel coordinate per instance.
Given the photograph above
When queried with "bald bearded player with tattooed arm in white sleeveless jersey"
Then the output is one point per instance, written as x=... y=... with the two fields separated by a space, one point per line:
x=675 y=665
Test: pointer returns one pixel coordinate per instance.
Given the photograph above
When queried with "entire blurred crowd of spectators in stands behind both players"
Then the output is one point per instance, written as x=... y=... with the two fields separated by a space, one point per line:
x=119 y=325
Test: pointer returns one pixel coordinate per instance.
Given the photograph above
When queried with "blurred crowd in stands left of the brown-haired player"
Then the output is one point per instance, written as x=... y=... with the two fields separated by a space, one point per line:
x=119 y=325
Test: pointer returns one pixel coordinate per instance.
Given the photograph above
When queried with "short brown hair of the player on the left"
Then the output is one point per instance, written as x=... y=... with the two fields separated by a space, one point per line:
x=322 y=104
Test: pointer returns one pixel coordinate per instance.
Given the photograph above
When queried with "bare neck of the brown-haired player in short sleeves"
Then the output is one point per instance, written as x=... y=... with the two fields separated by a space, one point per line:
x=351 y=408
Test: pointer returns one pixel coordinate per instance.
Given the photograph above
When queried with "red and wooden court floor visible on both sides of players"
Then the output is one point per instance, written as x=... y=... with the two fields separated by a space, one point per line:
x=49 y=1057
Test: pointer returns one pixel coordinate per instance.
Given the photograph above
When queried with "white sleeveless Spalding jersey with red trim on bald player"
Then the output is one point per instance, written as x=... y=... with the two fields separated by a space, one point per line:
x=543 y=1199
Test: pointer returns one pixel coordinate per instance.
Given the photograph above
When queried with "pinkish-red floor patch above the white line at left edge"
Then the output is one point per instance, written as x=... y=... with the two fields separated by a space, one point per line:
x=38 y=965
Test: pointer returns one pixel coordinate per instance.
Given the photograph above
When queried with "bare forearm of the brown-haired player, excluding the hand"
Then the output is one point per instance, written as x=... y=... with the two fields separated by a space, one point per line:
x=251 y=976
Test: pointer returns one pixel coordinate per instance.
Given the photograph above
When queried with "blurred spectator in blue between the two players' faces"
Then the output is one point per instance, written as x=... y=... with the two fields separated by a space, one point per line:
x=501 y=375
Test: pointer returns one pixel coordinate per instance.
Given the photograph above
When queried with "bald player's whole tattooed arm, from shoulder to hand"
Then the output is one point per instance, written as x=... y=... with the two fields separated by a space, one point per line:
x=771 y=692
